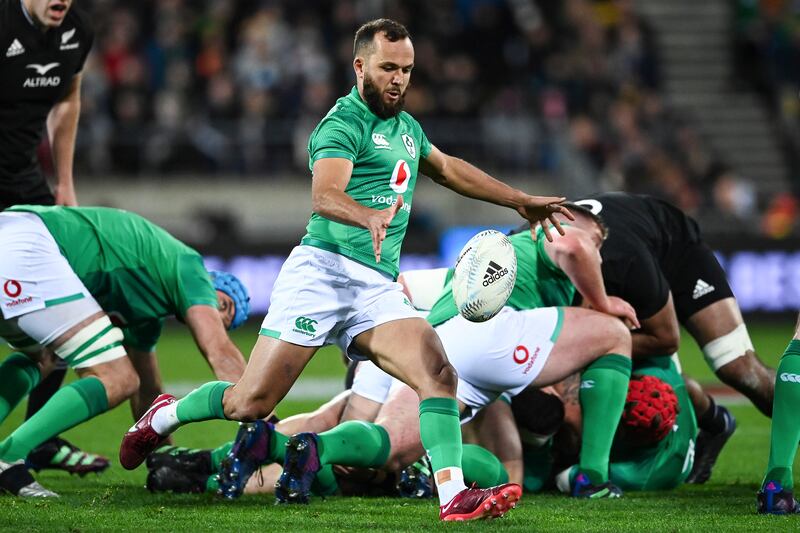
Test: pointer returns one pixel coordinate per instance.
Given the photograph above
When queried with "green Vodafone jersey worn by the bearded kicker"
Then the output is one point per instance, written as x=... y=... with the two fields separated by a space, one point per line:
x=385 y=155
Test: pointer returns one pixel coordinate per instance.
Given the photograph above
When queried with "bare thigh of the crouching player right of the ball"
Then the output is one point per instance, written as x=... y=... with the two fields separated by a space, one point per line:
x=585 y=336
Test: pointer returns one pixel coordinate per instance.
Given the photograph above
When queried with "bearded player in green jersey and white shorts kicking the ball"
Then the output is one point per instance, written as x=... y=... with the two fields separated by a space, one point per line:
x=338 y=286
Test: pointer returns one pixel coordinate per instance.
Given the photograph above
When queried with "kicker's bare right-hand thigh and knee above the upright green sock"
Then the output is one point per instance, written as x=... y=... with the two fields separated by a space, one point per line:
x=409 y=350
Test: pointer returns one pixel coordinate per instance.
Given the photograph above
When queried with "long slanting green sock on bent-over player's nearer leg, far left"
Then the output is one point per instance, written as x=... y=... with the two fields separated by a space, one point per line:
x=75 y=403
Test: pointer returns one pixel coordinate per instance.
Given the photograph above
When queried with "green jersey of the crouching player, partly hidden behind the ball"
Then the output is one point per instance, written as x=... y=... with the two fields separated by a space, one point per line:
x=539 y=283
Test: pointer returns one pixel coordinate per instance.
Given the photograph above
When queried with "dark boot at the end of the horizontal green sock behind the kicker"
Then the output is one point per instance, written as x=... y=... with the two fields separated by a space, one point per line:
x=300 y=467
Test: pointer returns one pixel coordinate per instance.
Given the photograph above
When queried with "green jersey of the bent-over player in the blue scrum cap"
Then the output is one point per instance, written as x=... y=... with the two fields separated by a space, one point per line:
x=137 y=272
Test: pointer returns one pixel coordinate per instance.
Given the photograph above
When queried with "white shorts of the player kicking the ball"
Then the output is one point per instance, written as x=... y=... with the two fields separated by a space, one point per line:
x=322 y=298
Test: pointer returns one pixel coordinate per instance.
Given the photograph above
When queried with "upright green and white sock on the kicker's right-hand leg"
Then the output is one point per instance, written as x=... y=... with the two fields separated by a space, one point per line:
x=440 y=431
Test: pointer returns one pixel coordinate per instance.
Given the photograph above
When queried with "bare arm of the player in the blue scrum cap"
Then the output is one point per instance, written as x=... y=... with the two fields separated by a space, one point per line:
x=209 y=333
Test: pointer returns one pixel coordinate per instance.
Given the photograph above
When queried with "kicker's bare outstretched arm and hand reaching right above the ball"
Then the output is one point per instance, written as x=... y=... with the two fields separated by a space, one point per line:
x=468 y=180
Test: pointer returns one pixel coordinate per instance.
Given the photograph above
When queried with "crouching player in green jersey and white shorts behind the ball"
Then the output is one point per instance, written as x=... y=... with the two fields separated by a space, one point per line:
x=532 y=341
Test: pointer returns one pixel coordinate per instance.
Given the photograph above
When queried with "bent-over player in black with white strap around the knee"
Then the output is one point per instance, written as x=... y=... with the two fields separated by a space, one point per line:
x=655 y=258
